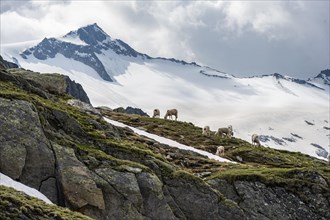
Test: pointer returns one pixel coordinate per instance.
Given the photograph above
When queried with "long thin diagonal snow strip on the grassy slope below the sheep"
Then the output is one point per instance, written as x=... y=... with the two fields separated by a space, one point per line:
x=168 y=141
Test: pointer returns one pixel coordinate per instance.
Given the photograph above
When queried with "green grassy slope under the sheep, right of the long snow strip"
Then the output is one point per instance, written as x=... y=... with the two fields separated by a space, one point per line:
x=255 y=163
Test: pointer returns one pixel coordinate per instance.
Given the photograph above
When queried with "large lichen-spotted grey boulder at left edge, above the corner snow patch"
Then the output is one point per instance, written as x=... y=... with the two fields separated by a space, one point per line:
x=22 y=141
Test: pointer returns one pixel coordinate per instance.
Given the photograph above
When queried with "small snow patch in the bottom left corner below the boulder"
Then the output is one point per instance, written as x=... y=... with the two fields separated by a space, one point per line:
x=9 y=182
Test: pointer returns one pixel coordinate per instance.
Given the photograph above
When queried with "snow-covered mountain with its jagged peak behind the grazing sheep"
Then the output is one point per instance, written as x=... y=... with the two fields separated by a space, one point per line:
x=290 y=114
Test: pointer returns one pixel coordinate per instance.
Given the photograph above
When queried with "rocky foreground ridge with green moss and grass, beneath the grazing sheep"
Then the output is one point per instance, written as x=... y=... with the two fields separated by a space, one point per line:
x=69 y=153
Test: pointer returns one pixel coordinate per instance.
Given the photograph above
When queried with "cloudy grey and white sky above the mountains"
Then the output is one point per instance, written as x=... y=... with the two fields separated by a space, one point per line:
x=243 y=38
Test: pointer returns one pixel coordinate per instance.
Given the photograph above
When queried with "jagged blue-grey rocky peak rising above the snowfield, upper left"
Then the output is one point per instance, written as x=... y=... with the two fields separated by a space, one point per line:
x=92 y=40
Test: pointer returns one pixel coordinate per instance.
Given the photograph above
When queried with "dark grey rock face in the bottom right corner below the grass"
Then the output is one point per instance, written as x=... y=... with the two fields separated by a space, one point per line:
x=260 y=201
